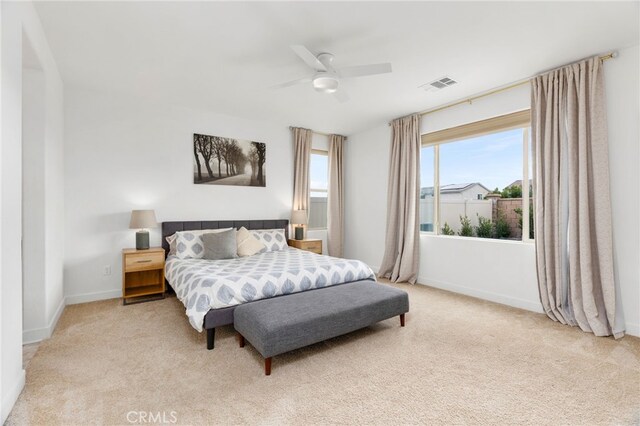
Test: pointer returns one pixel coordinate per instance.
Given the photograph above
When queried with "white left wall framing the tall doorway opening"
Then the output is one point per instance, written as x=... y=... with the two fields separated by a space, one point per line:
x=18 y=17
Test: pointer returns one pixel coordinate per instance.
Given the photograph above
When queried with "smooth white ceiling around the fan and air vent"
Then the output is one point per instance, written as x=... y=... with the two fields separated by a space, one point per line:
x=224 y=56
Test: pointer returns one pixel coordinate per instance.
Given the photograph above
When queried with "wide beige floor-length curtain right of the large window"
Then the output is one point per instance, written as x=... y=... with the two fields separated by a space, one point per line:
x=574 y=251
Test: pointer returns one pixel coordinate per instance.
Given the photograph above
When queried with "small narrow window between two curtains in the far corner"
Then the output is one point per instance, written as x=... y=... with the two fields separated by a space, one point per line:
x=318 y=187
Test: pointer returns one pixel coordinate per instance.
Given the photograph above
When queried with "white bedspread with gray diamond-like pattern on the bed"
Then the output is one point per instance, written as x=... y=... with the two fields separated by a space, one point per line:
x=203 y=284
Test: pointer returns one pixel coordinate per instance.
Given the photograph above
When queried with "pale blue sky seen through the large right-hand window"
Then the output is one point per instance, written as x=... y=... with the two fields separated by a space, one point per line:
x=493 y=160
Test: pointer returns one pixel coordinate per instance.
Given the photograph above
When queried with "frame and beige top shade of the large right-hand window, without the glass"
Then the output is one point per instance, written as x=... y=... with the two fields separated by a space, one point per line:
x=515 y=120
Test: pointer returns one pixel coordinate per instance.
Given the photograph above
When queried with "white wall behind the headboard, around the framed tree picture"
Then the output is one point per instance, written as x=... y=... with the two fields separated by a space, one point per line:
x=123 y=153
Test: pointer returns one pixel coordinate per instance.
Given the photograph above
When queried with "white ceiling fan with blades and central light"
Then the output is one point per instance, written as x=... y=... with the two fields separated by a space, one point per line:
x=326 y=79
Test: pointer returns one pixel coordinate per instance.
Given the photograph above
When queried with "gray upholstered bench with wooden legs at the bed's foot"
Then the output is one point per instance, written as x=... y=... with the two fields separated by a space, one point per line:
x=278 y=325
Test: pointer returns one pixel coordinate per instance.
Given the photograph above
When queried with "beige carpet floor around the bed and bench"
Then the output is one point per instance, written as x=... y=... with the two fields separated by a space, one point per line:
x=458 y=361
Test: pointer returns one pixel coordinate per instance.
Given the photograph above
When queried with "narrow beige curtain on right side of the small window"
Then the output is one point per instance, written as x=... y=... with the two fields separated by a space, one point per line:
x=335 y=202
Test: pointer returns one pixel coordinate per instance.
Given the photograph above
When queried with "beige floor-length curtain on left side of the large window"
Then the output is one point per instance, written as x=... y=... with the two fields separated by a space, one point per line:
x=400 y=260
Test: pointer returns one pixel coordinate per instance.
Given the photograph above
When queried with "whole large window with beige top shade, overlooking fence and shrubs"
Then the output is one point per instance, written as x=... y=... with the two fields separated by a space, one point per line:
x=472 y=180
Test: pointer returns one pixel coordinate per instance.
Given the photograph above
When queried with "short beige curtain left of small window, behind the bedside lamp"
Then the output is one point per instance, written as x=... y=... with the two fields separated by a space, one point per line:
x=301 y=155
